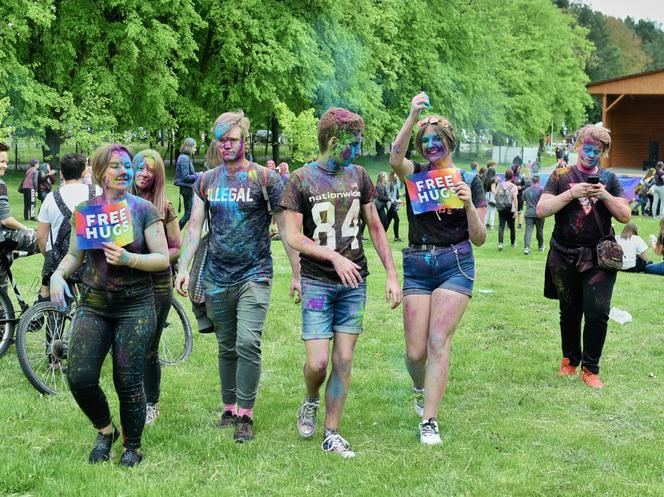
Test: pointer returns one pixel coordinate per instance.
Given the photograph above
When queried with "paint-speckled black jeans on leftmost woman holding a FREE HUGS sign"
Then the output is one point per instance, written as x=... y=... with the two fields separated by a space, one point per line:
x=124 y=319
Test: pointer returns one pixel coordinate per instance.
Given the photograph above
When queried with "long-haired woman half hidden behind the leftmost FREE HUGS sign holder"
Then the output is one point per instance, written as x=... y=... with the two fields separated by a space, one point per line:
x=149 y=185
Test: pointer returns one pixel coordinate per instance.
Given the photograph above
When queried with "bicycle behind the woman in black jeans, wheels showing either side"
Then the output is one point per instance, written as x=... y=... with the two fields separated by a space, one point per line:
x=44 y=332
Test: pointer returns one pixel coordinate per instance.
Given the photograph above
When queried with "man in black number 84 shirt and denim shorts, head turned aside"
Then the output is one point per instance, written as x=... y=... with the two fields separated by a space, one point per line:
x=325 y=199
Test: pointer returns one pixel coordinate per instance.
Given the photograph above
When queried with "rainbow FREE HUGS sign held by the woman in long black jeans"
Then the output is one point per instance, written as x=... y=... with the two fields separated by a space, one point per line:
x=97 y=224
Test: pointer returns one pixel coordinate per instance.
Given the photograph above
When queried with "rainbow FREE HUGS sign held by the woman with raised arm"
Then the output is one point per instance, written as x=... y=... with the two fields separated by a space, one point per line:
x=434 y=190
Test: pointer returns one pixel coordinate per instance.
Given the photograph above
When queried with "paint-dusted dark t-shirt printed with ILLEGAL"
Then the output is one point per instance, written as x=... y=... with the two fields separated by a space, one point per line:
x=239 y=246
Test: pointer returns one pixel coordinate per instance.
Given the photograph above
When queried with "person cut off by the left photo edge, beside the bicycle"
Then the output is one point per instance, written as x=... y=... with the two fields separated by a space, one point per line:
x=13 y=234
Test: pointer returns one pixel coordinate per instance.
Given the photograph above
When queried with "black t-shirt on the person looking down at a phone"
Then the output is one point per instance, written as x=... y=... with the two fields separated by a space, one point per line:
x=575 y=223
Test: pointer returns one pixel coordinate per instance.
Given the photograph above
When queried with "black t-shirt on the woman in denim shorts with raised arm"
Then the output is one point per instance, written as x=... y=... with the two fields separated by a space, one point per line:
x=447 y=226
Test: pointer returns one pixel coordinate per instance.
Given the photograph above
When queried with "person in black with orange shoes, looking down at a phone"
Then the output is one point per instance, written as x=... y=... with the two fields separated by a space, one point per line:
x=584 y=199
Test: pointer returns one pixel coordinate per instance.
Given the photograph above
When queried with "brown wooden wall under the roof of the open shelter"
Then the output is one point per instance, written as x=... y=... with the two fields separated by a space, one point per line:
x=634 y=122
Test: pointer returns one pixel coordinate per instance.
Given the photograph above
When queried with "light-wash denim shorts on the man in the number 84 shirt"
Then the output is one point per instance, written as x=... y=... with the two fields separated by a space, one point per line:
x=329 y=308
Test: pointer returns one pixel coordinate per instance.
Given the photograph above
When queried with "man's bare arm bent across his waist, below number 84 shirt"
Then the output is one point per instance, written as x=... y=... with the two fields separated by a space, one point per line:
x=347 y=270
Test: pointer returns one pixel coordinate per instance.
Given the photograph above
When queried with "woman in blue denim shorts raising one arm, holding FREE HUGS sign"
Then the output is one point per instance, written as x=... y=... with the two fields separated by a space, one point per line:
x=445 y=214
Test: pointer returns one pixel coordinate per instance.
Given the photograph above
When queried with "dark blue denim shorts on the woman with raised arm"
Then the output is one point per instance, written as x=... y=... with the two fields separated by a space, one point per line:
x=448 y=268
